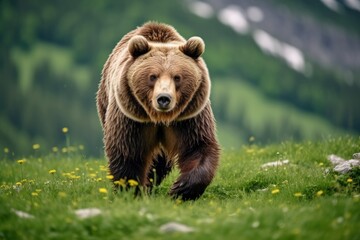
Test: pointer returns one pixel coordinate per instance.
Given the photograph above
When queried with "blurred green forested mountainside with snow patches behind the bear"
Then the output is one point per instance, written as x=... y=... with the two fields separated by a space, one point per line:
x=280 y=69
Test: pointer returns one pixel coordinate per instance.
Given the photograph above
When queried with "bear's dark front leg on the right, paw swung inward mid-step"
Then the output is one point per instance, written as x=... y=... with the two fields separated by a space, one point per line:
x=198 y=155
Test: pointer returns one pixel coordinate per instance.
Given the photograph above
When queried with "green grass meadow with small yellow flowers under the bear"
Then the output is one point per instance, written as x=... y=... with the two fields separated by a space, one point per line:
x=295 y=201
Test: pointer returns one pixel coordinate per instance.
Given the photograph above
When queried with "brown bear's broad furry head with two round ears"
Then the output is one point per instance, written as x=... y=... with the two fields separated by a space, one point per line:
x=164 y=82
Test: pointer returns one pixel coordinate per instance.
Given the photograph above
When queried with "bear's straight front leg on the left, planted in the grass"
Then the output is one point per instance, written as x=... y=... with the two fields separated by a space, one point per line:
x=128 y=147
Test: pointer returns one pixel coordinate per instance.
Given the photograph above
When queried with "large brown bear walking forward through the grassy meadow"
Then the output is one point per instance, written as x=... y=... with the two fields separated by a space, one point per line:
x=154 y=107
